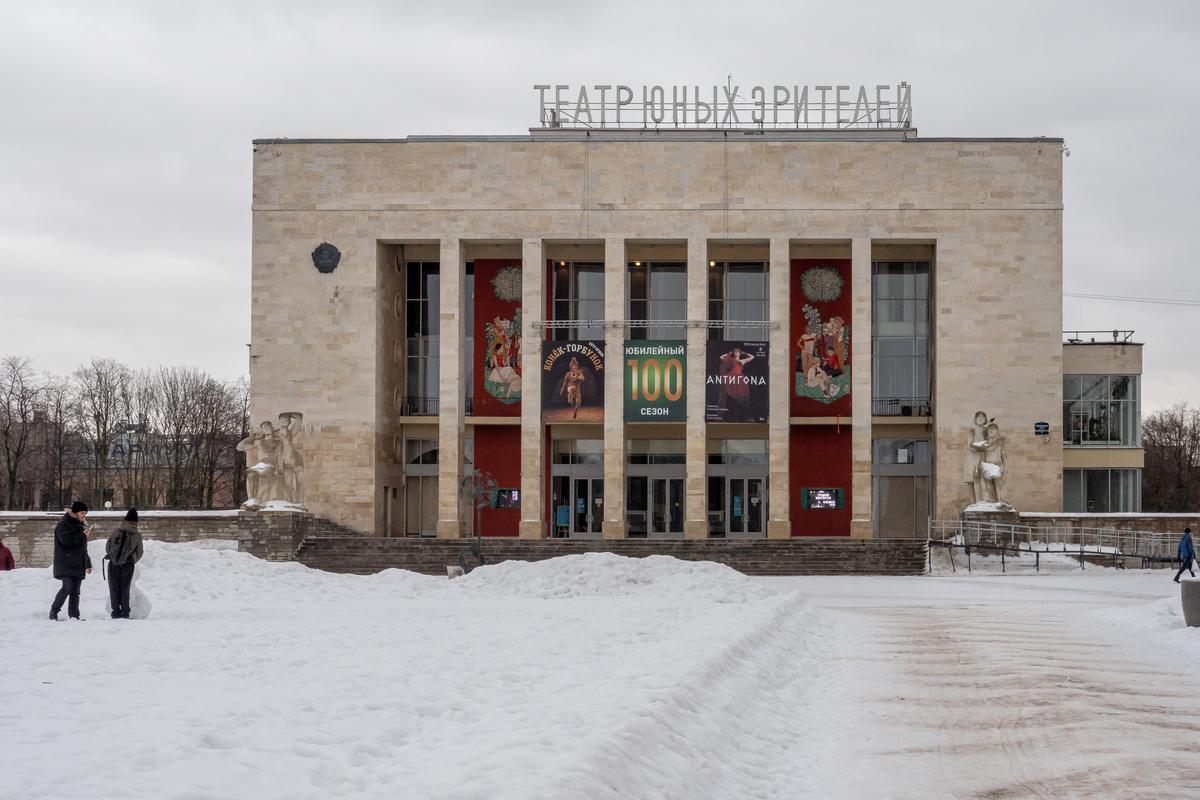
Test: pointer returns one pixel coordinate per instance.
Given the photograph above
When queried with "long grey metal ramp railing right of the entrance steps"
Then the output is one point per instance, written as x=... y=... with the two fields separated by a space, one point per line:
x=1072 y=540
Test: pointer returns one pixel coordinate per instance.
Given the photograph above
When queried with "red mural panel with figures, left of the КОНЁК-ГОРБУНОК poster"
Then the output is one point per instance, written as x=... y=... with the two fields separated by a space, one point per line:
x=497 y=333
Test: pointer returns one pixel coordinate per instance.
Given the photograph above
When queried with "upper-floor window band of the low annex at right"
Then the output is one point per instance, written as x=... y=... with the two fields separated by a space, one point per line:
x=1101 y=411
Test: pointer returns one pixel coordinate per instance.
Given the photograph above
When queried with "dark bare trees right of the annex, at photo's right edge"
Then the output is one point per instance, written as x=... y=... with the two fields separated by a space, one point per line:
x=1172 y=476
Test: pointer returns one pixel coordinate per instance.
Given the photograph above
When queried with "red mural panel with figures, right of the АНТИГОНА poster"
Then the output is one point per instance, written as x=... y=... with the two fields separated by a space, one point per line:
x=821 y=310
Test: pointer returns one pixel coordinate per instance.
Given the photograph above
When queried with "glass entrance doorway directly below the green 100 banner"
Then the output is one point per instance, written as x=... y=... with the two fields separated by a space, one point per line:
x=655 y=489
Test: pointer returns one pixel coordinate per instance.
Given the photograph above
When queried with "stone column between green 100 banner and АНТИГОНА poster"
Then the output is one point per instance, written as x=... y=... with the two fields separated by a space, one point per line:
x=695 y=521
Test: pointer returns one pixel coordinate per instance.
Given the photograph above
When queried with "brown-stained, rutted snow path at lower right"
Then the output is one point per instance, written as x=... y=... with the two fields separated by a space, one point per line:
x=994 y=705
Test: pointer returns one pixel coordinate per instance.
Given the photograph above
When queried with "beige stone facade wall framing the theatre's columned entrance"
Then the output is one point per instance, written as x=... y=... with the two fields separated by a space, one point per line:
x=992 y=210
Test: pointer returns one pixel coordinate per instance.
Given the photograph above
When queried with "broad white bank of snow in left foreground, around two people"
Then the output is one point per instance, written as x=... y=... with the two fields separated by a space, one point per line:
x=256 y=679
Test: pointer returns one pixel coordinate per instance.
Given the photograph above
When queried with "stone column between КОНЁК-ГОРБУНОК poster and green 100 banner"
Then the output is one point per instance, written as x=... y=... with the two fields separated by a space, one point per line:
x=614 y=524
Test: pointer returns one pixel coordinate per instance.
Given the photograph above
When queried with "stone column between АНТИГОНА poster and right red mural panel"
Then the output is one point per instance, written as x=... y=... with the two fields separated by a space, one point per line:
x=779 y=524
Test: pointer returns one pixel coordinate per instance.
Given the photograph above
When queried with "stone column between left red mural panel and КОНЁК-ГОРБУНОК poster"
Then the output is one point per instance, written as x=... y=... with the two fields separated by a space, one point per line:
x=533 y=432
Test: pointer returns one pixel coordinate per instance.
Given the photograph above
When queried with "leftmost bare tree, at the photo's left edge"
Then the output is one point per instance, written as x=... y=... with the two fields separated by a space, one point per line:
x=21 y=394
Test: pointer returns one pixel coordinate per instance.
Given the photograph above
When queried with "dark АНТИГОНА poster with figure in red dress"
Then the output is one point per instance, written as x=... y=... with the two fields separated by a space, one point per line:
x=736 y=388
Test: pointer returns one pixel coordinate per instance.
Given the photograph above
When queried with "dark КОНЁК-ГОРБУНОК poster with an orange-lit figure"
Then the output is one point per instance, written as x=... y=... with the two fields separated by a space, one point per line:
x=572 y=382
